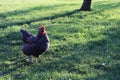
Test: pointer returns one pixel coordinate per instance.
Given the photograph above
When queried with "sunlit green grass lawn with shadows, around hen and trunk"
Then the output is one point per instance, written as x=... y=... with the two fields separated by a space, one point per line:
x=84 y=45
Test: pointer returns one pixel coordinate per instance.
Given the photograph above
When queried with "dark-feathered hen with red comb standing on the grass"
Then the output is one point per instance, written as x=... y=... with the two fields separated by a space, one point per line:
x=35 y=45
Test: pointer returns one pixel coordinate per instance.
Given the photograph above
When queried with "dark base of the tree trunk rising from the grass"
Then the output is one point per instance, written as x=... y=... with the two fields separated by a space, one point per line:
x=86 y=6
